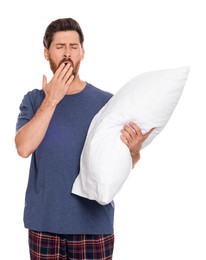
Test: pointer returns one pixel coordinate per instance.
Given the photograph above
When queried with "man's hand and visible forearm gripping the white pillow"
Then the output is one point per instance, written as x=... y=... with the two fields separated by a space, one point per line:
x=132 y=136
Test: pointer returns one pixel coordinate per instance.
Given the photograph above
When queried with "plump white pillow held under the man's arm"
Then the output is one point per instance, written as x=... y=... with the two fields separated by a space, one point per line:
x=149 y=100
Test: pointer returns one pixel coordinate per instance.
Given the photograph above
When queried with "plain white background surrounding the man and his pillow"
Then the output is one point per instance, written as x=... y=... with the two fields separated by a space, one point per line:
x=160 y=211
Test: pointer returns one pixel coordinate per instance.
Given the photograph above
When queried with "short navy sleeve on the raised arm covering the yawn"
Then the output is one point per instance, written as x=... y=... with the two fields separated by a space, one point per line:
x=28 y=107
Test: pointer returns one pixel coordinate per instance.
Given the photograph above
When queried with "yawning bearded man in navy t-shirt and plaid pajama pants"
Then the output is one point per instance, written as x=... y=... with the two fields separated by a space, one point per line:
x=52 y=127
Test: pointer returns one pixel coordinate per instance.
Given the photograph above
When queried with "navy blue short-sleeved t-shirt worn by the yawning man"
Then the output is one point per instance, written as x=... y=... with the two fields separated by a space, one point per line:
x=49 y=204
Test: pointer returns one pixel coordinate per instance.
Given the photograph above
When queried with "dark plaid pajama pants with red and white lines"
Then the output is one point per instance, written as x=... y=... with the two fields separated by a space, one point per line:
x=49 y=246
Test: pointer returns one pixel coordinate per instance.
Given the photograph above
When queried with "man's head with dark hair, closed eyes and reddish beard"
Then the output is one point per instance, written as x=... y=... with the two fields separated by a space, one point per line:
x=63 y=43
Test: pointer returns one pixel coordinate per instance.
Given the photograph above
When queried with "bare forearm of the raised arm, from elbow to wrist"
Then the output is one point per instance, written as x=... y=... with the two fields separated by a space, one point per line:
x=31 y=134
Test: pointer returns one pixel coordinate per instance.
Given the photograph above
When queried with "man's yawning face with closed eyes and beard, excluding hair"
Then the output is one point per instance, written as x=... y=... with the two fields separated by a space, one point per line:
x=65 y=48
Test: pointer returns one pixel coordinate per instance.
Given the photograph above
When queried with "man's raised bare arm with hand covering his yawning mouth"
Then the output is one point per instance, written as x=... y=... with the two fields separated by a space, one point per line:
x=29 y=137
